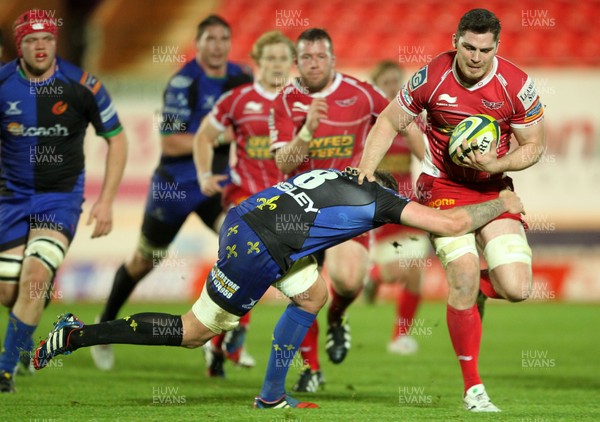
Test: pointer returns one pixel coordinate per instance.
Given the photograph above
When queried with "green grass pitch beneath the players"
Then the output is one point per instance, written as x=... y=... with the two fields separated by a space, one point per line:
x=560 y=340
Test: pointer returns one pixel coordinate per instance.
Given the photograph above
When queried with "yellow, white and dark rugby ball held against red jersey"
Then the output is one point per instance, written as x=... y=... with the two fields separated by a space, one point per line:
x=480 y=131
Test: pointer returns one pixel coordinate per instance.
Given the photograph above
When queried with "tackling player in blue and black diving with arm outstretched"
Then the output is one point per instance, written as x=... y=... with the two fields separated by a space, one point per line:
x=259 y=248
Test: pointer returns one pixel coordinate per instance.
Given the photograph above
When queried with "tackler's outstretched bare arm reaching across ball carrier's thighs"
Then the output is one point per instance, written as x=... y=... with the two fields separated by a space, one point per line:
x=460 y=220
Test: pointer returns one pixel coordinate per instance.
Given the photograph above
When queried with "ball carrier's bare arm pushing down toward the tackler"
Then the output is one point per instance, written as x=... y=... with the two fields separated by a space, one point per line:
x=392 y=120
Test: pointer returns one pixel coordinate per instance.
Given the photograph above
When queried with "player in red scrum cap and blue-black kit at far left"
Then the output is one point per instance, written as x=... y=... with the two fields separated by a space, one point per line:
x=50 y=104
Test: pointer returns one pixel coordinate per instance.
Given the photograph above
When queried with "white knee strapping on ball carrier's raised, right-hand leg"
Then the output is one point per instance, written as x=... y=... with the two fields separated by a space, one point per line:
x=506 y=249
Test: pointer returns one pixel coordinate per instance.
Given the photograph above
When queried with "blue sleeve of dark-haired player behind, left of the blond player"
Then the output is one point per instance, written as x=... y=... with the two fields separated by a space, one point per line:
x=179 y=100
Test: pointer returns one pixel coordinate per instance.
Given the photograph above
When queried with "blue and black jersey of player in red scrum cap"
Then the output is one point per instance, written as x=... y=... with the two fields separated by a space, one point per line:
x=43 y=124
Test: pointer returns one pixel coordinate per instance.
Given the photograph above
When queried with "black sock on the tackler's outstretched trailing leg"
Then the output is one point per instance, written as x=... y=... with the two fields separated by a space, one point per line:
x=152 y=329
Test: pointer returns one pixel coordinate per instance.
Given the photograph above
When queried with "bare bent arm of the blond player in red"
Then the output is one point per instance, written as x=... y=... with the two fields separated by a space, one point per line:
x=205 y=138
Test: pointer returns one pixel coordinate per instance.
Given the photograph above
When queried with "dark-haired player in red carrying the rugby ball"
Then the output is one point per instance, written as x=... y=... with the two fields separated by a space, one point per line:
x=456 y=84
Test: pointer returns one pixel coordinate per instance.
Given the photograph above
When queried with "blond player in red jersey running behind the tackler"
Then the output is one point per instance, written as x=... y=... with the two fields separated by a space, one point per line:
x=246 y=109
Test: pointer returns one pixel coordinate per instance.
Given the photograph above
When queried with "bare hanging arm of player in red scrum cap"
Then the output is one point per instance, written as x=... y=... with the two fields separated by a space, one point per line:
x=116 y=158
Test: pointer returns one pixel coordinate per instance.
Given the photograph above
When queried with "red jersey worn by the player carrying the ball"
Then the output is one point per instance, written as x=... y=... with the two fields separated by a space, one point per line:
x=506 y=93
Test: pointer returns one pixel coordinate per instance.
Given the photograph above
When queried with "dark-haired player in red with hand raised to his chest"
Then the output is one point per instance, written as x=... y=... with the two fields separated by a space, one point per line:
x=321 y=120
